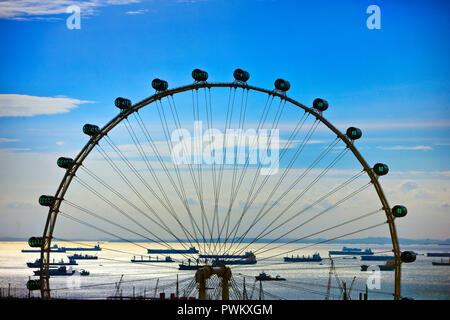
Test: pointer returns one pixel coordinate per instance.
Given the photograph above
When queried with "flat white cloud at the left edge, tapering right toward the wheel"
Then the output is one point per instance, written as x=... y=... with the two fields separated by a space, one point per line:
x=20 y=105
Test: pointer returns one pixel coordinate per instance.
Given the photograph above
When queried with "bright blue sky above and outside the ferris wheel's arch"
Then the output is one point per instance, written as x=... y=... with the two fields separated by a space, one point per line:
x=393 y=83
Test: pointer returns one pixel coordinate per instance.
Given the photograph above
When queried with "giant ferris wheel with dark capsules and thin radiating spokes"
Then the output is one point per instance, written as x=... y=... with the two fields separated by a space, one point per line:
x=219 y=173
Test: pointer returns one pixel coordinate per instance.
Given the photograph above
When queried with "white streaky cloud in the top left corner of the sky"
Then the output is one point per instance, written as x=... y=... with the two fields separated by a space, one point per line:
x=39 y=10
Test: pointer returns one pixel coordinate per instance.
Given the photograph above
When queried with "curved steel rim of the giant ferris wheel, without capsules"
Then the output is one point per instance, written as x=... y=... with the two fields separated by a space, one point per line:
x=123 y=114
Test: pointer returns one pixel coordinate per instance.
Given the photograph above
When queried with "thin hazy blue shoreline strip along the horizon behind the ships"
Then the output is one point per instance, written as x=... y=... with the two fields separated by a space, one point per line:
x=369 y=240
